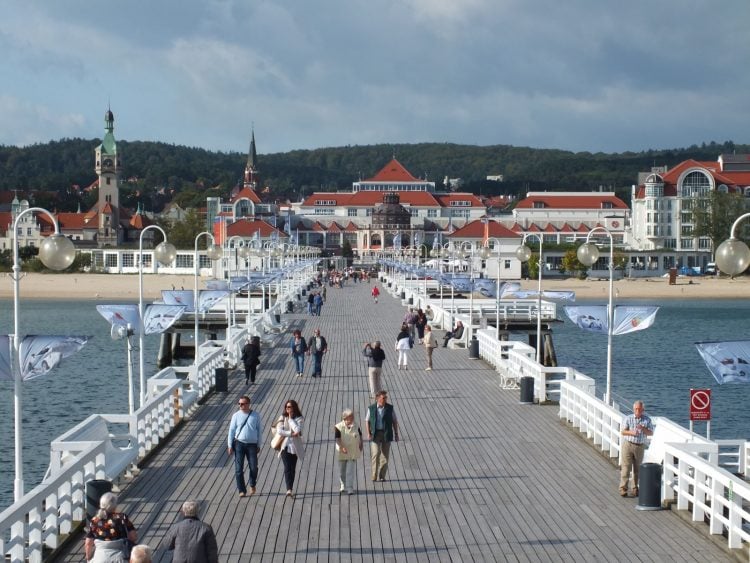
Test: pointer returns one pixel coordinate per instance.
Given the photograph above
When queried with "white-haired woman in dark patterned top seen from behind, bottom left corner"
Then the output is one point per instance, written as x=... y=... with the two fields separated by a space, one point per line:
x=110 y=534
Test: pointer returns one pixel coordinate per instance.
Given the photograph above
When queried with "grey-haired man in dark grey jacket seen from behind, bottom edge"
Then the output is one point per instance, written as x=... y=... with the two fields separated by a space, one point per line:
x=193 y=541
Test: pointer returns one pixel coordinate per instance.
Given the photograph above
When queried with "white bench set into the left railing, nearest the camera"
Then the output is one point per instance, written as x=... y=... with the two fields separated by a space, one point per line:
x=120 y=450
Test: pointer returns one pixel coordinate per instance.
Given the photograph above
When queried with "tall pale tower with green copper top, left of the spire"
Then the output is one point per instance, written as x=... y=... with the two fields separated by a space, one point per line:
x=108 y=166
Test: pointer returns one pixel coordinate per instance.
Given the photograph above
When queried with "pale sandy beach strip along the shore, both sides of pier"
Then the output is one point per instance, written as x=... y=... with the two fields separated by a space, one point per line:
x=107 y=287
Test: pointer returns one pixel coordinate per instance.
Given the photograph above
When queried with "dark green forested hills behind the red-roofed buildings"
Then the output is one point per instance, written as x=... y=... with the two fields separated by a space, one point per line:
x=192 y=173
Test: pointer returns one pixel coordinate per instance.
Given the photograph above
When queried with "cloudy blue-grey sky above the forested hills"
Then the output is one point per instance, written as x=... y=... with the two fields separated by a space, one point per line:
x=581 y=75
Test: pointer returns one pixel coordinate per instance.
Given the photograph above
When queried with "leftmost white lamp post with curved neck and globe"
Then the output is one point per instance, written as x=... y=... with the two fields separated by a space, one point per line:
x=57 y=253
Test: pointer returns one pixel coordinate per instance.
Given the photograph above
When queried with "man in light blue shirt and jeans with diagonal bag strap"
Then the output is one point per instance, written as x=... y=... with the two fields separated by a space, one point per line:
x=244 y=441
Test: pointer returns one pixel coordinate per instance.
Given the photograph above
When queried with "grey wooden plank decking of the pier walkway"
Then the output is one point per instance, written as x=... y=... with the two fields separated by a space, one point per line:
x=475 y=477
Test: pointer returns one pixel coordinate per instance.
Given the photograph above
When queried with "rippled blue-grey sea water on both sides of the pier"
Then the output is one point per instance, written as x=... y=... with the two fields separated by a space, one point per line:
x=658 y=365
